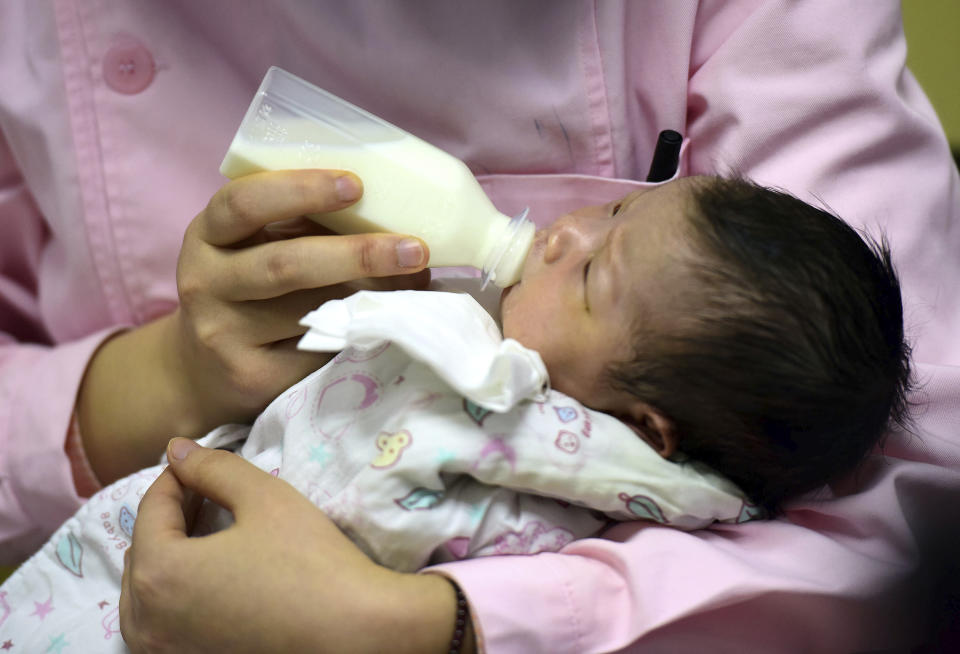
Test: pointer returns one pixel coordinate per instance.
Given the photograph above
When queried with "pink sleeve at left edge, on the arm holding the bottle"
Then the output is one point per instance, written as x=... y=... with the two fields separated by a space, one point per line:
x=38 y=382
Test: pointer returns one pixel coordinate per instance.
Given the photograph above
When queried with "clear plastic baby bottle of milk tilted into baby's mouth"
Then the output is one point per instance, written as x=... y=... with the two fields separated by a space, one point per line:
x=410 y=186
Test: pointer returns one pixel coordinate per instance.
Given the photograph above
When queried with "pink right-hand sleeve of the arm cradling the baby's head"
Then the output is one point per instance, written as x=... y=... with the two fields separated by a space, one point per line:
x=811 y=97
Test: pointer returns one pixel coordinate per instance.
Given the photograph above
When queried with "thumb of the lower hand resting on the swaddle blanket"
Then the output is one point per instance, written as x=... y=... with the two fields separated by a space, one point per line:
x=222 y=477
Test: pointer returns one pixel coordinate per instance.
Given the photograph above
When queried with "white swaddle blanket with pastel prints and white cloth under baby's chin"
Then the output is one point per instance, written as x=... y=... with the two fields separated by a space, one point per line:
x=442 y=442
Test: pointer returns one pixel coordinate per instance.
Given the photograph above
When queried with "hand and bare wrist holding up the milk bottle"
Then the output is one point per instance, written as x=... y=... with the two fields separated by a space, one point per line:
x=249 y=268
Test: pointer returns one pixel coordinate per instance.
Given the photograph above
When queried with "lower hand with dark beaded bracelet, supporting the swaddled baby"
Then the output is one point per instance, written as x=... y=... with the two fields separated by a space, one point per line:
x=282 y=578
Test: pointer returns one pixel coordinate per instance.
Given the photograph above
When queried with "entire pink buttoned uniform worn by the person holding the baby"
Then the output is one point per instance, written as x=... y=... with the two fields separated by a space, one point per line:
x=100 y=172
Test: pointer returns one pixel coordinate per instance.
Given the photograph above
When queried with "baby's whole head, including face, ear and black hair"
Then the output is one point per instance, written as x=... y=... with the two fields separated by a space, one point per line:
x=737 y=324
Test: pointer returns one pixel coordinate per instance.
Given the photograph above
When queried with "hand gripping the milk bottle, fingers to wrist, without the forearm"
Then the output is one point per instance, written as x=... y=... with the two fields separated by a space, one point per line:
x=251 y=266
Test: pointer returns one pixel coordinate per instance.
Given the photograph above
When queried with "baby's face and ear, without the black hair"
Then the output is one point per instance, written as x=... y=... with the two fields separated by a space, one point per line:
x=590 y=277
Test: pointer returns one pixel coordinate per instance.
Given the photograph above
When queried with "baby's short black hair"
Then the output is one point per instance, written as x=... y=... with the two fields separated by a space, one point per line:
x=792 y=363
